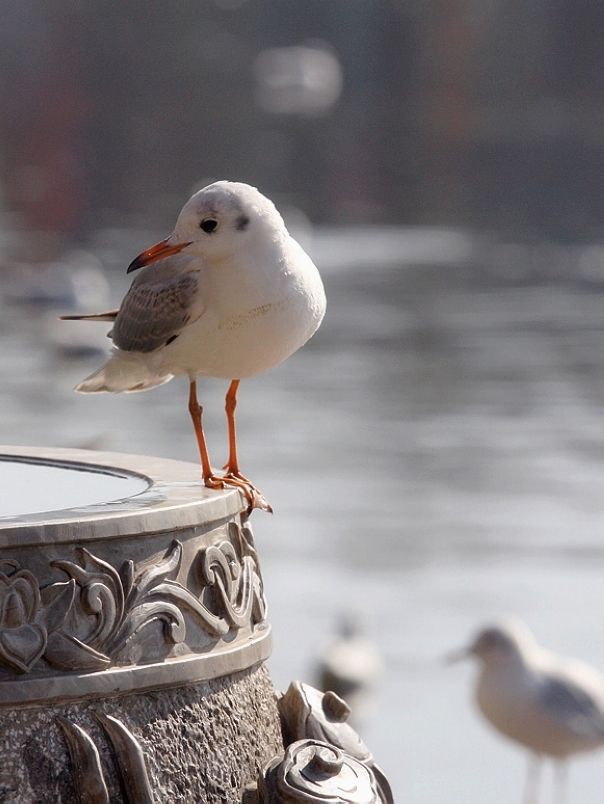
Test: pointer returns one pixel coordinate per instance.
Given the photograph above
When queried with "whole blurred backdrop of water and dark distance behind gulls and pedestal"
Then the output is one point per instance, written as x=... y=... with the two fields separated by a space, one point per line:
x=435 y=455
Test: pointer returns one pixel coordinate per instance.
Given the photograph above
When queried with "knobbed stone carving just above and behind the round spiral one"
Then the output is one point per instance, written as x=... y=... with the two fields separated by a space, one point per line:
x=307 y=713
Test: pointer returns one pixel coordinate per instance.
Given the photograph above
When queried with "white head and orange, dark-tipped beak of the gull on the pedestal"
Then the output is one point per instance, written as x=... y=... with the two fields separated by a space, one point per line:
x=217 y=222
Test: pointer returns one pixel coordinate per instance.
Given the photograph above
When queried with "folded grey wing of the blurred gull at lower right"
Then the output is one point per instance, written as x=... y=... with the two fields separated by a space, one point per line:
x=572 y=706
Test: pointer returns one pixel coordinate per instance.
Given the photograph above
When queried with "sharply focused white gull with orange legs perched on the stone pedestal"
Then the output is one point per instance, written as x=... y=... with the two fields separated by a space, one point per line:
x=228 y=294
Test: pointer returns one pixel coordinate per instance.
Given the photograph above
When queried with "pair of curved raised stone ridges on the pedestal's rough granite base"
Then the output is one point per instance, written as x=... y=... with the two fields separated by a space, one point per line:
x=88 y=777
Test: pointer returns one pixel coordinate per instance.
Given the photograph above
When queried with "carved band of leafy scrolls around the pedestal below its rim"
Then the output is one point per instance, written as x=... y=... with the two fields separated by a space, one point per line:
x=87 y=622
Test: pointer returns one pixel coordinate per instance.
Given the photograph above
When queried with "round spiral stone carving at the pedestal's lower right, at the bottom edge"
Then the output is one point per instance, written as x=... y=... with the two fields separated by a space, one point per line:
x=313 y=771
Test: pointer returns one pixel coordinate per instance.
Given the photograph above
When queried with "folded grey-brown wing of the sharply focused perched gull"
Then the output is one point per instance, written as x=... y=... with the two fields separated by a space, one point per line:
x=154 y=312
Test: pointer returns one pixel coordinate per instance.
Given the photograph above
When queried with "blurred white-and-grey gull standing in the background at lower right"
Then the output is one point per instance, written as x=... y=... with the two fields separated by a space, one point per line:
x=552 y=705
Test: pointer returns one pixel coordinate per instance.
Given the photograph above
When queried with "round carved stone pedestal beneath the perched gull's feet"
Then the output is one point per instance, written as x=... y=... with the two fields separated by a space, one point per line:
x=132 y=638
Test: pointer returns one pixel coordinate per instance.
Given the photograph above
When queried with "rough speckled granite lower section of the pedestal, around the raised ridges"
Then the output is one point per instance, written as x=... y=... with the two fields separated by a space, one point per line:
x=201 y=742
